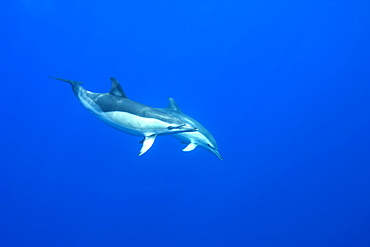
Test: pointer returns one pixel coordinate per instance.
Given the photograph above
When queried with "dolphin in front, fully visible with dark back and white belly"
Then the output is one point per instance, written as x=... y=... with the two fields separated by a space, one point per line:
x=116 y=110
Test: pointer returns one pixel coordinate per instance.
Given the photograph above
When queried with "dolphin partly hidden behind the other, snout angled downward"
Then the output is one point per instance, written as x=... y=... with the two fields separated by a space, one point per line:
x=201 y=137
